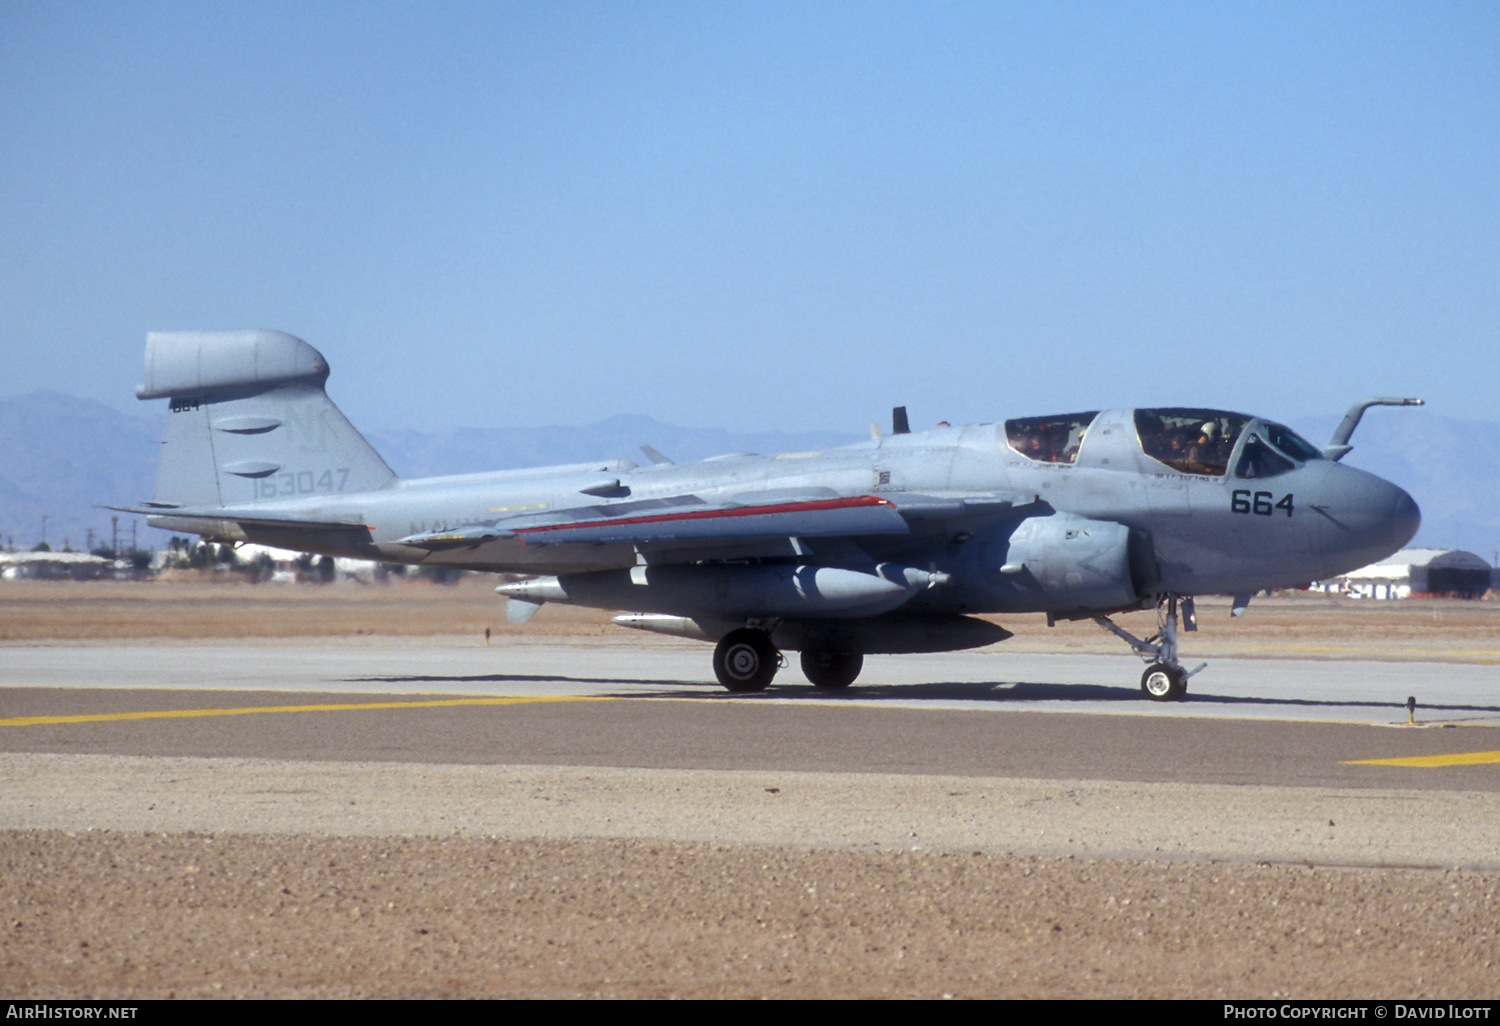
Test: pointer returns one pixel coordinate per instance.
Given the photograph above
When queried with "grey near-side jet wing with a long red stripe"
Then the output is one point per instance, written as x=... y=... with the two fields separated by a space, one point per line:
x=685 y=520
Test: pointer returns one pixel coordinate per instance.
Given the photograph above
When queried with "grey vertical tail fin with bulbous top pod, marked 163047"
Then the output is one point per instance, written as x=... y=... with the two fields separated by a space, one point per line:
x=250 y=422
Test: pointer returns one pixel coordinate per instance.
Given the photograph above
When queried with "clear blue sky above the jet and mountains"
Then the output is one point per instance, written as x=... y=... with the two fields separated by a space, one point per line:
x=763 y=215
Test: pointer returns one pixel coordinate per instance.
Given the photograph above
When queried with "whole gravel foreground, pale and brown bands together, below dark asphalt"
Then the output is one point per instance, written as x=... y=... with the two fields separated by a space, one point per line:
x=274 y=880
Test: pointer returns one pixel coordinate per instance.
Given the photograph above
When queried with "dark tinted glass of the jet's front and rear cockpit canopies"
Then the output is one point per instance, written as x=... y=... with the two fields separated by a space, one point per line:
x=1192 y=442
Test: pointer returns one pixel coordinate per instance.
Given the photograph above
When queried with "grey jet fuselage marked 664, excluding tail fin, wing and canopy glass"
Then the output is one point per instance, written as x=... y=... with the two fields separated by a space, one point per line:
x=1210 y=535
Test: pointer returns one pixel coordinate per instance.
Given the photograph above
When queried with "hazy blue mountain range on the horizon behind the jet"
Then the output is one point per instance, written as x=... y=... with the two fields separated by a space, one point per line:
x=61 y=457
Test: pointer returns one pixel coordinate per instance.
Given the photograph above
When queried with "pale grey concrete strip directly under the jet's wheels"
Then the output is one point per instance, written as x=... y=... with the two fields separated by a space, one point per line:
x=1349 y=691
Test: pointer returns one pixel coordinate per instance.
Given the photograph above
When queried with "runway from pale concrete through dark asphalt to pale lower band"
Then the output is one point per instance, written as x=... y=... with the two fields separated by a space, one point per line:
x=1288 y=761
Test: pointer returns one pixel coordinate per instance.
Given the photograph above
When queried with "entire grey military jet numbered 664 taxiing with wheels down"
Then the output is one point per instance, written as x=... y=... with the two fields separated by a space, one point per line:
x=892 y=545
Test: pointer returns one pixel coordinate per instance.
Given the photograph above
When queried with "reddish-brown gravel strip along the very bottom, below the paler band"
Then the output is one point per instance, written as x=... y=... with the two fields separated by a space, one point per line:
x=143 y=916
